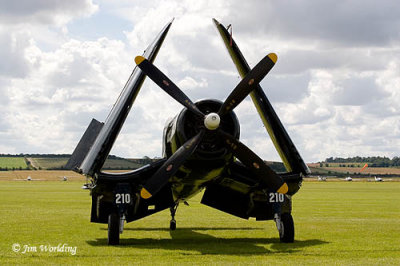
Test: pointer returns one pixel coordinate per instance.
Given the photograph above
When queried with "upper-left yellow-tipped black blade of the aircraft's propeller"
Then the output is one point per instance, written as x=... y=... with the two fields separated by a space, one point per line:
x=165 y=83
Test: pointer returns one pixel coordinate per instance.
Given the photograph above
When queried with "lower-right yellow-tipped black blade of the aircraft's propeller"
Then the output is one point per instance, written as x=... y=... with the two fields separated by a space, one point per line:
x=255 y=163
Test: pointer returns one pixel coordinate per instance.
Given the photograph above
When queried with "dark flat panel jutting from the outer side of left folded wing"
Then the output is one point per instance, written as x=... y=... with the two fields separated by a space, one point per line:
x=84 y=145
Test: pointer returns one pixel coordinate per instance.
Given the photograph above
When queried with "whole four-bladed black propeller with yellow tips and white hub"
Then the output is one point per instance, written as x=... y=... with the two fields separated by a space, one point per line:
x=211 y=122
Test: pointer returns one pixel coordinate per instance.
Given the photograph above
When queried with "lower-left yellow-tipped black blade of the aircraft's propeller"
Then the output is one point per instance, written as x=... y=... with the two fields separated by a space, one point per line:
x=170 y=167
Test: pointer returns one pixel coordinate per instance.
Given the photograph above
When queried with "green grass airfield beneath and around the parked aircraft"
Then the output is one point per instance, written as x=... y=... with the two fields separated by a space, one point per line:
x=336 y=223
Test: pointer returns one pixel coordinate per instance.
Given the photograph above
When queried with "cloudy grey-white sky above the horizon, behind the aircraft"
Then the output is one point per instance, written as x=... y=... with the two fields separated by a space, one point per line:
x=335 y=86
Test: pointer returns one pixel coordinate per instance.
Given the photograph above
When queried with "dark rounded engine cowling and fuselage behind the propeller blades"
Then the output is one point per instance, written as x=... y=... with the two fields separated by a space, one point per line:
x=210 y=158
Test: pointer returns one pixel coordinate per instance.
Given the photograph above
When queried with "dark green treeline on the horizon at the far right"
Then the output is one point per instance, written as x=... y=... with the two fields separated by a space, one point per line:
x=375 y=161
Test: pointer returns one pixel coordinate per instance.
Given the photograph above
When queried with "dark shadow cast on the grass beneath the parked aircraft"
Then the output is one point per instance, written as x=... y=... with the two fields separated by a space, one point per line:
x=189 y=239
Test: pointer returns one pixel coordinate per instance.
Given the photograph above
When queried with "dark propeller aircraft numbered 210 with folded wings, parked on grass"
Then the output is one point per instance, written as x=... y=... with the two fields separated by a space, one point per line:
x=201 y=151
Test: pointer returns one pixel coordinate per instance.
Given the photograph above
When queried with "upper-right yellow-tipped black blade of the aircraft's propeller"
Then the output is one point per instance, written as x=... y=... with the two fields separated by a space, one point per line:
x=248 y=83
